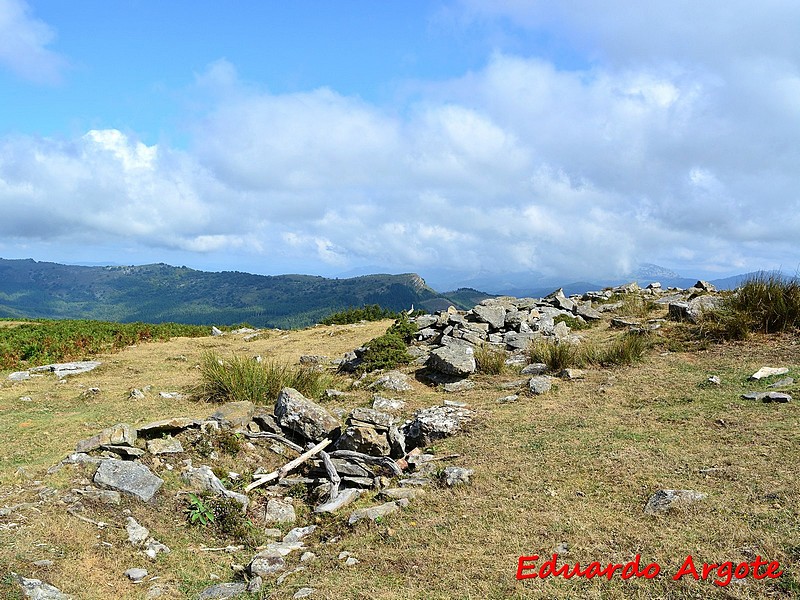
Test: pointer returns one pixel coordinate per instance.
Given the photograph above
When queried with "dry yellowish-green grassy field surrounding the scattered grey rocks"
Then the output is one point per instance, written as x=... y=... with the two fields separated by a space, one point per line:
x=568 y=471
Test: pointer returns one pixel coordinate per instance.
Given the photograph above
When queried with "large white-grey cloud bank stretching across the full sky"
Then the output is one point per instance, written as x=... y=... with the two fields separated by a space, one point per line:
x=687 y=159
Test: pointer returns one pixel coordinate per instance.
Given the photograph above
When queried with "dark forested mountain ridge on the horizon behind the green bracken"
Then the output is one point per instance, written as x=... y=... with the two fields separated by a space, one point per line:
x=161 y=293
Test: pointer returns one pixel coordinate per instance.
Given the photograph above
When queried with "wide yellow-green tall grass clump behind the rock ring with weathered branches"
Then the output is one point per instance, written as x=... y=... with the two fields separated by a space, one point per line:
x=239 y=379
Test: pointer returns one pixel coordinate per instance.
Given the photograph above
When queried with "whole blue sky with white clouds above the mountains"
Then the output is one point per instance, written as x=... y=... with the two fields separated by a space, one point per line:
x=457 y=139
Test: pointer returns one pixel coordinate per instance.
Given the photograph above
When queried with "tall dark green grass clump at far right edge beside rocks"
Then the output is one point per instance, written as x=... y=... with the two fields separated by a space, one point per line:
x=765 y=303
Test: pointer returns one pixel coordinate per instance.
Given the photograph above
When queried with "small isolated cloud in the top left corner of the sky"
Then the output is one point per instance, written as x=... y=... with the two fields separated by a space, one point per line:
x=23 y=44
